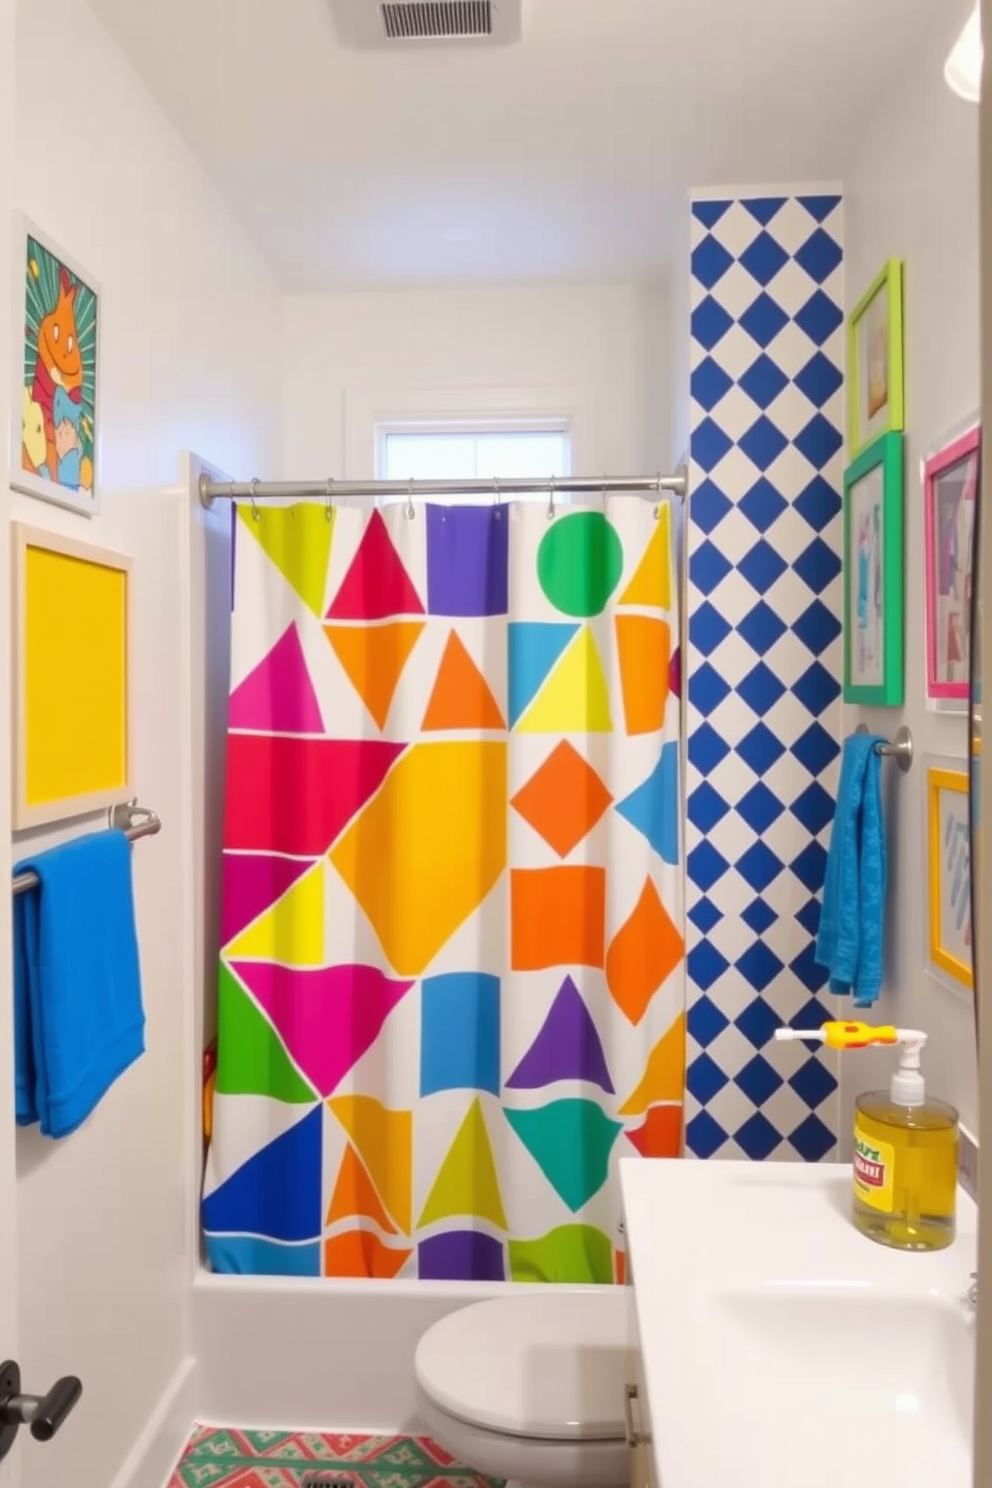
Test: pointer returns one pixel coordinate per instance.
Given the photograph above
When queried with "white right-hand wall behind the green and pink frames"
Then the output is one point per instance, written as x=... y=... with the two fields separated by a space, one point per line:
x=915 y=196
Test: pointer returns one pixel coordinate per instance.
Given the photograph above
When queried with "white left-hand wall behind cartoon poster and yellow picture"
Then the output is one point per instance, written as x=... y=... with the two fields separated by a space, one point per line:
x=191 y=344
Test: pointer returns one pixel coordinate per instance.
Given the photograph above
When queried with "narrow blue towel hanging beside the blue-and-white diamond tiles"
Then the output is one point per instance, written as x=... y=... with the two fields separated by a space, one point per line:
x=851 y=920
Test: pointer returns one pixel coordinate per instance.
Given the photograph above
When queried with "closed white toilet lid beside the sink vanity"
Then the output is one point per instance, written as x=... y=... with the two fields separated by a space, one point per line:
x=542 y=1365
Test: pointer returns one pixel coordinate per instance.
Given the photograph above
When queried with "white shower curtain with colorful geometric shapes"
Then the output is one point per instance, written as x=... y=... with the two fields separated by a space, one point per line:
x=451 y=980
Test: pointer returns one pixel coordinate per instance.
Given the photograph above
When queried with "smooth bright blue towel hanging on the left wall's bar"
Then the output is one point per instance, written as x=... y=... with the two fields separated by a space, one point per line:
x=78 y=1016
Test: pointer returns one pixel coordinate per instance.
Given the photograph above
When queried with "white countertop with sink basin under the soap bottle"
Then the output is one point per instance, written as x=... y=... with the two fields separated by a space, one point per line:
x=782 y=1349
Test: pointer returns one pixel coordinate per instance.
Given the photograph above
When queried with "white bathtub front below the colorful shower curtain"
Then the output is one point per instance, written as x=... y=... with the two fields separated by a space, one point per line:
x=298 y=1353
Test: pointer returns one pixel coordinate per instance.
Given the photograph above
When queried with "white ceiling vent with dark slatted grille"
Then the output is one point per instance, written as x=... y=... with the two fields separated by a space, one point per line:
x=390 y=25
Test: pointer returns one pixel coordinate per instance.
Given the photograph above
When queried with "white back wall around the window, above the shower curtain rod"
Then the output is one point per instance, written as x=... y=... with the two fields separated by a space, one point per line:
x=605 y=349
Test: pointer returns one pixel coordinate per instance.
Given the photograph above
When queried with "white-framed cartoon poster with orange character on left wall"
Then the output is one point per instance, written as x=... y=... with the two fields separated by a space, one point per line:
x=56 y=416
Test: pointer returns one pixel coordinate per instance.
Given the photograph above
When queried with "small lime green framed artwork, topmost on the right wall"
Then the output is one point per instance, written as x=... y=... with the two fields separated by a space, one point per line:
x=875 y=361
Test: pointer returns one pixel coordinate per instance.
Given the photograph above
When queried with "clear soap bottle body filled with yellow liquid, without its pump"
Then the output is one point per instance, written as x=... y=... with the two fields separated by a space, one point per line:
x=905 y=1172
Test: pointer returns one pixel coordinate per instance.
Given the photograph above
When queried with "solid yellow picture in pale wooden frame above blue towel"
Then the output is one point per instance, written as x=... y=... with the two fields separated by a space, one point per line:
x=72 y=678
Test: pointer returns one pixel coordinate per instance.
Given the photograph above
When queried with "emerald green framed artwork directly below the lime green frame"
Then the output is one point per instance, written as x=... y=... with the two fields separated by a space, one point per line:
x=874 y=575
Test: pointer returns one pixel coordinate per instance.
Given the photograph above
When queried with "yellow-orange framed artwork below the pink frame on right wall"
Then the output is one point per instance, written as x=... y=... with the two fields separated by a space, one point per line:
x=950 y=947
